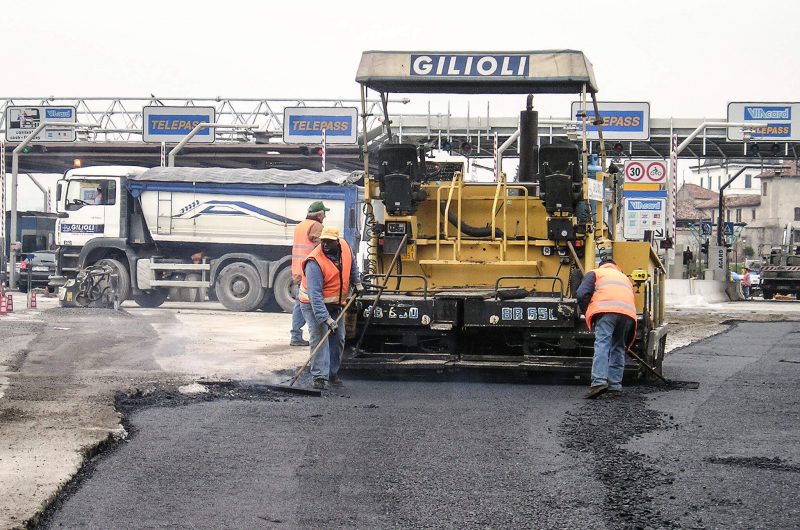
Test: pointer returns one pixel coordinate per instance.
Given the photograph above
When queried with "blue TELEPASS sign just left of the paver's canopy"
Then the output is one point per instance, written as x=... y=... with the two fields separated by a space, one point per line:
x=304 y=125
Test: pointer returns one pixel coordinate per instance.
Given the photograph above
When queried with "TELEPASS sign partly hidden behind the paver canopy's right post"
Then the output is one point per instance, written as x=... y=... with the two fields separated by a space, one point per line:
x=622 y=120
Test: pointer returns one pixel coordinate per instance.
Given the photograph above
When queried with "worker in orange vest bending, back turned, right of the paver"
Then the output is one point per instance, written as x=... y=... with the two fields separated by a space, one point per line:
x=606 y=298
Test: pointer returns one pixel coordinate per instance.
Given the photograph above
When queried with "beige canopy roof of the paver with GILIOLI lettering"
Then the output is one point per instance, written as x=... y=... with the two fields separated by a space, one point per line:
x=543 y=72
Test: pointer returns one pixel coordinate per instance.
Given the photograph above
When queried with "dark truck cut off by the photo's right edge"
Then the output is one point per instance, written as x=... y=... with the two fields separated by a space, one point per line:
x=780 y=272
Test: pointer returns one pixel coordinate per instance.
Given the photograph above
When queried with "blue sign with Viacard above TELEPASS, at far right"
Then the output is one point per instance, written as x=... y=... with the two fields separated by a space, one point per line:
x=782 y=121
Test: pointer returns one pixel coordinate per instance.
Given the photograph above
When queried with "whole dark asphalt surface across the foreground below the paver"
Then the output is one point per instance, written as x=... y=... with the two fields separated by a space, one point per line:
x=468 y=454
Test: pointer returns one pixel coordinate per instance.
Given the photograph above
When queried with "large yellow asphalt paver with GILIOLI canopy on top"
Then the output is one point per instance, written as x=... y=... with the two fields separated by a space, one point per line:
x=483 y=275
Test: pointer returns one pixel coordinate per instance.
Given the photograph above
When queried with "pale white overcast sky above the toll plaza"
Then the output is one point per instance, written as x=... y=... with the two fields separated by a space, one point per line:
x=687 y=58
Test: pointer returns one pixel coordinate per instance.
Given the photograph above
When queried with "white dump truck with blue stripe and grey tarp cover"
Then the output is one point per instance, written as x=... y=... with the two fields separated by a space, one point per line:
x=227 y=231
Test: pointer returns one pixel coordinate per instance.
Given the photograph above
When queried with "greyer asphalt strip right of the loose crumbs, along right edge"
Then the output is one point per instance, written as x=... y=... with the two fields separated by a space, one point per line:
x=736 y=445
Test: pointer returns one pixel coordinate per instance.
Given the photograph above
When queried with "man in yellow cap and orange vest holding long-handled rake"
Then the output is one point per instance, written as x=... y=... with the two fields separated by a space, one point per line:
x=328 y=273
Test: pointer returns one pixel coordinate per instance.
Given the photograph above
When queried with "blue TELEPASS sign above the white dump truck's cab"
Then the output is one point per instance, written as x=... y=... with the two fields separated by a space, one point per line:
x=172 y=124
